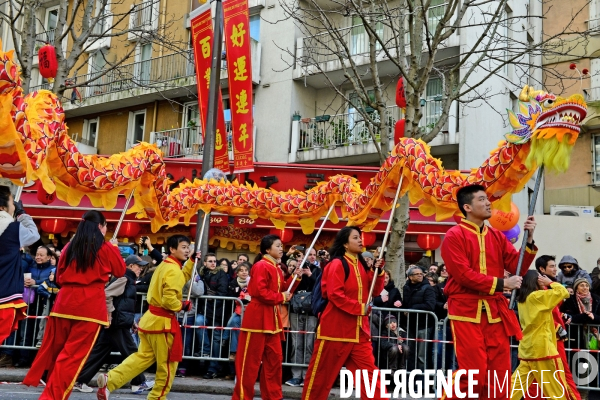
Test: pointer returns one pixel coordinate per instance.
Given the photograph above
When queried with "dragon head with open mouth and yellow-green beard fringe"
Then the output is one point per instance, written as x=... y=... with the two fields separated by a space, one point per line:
x=552 y=125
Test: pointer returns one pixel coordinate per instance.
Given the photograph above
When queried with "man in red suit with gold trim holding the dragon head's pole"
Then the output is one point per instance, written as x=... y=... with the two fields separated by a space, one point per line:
x=476 y=256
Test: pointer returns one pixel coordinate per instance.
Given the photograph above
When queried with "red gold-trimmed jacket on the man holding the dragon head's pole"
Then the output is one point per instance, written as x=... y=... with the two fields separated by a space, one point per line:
x=475 y=260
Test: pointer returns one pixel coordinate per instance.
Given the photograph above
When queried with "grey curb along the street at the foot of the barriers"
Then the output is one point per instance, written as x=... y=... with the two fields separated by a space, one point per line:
x=185 y=385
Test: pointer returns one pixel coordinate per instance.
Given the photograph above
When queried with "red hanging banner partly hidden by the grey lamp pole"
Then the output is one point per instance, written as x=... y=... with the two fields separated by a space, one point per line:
x=202 y=34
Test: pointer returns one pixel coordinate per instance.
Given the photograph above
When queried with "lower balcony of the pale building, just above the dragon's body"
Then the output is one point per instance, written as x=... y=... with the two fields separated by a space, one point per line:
x=333 y=138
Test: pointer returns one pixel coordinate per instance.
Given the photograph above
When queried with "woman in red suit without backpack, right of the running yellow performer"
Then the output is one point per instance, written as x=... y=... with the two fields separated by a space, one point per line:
x=261 y=333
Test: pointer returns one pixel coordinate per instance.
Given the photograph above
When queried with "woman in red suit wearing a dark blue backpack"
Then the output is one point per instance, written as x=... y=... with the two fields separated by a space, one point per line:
x=344 y=333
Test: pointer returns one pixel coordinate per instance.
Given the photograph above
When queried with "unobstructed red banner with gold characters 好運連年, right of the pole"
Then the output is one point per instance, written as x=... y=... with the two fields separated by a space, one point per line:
x=239 y=74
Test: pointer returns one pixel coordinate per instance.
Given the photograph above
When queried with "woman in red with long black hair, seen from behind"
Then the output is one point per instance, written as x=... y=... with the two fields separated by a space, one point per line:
x=80 y=308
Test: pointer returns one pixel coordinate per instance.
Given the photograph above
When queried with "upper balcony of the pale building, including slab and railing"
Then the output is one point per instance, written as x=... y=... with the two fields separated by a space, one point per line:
x=319 y=53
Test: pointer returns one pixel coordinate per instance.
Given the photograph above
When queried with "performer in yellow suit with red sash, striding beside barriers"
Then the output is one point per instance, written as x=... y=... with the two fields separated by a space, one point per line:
x=160 y=336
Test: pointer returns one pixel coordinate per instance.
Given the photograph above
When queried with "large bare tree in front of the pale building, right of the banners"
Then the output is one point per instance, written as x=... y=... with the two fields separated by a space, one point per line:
x=415 y=36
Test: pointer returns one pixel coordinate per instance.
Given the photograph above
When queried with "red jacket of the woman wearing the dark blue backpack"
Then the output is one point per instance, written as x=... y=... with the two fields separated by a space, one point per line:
x=344 y=315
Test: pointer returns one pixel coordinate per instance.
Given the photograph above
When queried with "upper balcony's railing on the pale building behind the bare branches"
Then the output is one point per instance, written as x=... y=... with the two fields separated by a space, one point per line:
x=322 y=47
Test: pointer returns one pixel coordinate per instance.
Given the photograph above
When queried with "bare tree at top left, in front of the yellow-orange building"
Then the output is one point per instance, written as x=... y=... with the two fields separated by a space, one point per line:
x=82 y=27
